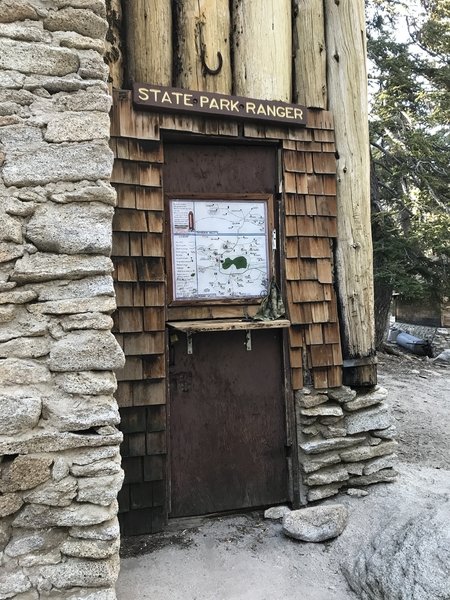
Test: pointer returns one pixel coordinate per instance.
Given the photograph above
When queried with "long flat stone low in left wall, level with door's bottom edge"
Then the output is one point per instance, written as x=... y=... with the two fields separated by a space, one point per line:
x=35 y=516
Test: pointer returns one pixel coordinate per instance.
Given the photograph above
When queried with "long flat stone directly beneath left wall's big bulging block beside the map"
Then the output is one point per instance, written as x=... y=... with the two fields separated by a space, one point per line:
x=46 y=267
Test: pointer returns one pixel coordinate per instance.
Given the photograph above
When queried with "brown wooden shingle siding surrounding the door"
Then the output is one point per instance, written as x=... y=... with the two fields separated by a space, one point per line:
x=308 y=217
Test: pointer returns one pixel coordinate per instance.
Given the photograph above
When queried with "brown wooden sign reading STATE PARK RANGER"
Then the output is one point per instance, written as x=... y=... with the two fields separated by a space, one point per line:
x=156 y=97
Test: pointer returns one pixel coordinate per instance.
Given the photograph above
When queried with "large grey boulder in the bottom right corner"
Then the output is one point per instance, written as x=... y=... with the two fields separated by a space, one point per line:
x=409 y=558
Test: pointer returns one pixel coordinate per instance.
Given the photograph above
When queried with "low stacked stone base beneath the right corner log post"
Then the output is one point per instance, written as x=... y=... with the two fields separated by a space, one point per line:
x=346 y=440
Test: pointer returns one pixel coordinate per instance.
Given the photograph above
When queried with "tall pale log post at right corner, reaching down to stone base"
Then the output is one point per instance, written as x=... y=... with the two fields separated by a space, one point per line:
x=347 y=94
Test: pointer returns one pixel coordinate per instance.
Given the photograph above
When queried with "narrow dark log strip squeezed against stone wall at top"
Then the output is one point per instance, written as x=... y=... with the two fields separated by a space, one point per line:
x=114 y=43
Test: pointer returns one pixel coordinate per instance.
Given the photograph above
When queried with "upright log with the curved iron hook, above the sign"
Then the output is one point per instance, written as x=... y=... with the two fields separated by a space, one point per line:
x=202 y=31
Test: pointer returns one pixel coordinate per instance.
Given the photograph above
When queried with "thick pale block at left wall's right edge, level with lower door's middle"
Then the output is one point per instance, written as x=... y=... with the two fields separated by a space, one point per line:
x=67 y=412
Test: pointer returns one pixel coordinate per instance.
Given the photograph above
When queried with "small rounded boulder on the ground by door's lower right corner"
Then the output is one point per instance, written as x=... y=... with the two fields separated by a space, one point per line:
x=316 y=524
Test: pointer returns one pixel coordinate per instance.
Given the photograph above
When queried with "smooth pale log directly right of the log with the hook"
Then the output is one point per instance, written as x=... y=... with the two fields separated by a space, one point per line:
x=262 y=47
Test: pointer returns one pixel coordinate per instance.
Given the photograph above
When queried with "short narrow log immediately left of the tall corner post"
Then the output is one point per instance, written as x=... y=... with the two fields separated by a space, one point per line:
x=310 y=65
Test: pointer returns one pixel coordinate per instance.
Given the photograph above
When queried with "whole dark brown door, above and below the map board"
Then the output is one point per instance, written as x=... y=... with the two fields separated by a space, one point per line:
x=227 y=416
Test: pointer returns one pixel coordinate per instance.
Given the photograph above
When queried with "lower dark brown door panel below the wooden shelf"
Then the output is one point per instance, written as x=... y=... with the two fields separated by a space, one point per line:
x=227 y=426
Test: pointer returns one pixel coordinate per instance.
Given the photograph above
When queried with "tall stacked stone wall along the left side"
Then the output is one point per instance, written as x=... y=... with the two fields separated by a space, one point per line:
x=59 y=447
